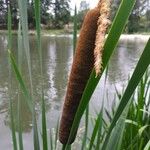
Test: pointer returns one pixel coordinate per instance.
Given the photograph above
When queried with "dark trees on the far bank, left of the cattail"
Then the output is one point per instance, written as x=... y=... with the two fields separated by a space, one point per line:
x=54 y=13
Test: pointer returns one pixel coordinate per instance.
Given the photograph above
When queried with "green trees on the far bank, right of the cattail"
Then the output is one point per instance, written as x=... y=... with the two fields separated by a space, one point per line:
x=139 y=20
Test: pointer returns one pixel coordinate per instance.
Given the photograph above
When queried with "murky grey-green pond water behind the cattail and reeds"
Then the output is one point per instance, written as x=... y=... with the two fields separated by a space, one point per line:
x=57 y=59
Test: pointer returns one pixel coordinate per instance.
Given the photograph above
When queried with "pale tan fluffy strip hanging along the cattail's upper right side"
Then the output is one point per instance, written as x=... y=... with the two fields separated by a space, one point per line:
x=103 y=23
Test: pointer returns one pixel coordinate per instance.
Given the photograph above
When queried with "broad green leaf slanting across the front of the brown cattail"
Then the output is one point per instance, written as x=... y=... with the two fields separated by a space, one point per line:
x=110 y=44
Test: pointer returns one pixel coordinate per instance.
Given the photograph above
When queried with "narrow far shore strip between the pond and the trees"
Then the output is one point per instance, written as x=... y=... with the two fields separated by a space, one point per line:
x=61 y=32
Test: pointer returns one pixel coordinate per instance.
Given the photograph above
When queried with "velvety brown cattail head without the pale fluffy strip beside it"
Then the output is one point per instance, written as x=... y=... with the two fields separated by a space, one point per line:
x=81 y=69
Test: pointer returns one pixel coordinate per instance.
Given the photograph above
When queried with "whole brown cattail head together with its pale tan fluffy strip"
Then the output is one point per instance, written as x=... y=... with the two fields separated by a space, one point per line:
x=88 y=54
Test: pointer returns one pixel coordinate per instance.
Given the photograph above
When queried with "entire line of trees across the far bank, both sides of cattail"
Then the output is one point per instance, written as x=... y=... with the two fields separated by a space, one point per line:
x=57 y=13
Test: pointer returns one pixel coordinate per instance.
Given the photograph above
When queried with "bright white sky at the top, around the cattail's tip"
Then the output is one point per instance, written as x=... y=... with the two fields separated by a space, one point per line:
x=77 y=2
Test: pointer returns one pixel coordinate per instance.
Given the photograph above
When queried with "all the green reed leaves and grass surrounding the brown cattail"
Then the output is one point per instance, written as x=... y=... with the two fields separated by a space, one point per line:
x=126 y=127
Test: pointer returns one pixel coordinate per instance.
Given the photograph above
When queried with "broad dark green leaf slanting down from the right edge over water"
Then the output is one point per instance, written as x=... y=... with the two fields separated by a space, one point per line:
x=133 y=83
